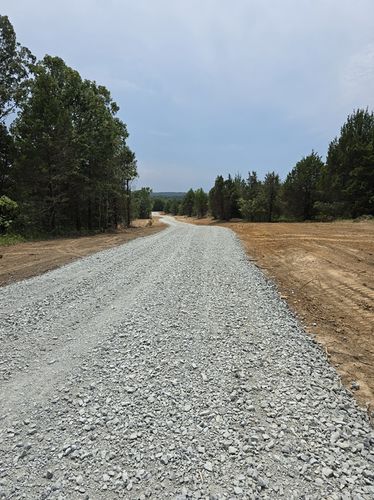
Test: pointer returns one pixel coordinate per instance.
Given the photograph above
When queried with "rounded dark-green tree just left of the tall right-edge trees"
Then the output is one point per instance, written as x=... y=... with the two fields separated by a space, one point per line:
x=300 y=189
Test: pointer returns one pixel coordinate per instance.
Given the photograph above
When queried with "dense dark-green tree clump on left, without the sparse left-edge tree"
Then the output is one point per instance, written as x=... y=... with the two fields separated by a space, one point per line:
x=72 y=158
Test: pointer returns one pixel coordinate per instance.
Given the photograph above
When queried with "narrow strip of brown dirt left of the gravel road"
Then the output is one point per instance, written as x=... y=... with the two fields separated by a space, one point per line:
x=24 y=260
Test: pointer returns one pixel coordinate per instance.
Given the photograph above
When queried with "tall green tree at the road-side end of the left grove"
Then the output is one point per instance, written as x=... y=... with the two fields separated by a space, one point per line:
x=101 y=182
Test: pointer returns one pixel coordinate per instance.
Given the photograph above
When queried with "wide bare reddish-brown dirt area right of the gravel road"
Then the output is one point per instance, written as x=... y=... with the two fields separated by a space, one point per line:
x=325 y=271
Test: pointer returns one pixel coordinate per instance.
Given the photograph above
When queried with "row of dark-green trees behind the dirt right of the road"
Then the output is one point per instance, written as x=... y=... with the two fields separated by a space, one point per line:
x=342 y=187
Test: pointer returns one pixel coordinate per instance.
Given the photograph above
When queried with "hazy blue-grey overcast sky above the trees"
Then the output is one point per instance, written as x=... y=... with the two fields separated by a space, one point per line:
x=209 y=87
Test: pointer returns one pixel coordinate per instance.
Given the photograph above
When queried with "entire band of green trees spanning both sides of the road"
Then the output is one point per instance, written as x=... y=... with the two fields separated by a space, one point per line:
x=66 y=163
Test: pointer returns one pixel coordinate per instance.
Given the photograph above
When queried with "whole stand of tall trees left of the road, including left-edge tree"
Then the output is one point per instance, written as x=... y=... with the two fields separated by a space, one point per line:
x=64 y=160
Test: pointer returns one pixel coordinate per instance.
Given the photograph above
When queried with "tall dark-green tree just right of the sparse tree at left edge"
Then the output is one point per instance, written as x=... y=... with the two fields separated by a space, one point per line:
x=44 y=138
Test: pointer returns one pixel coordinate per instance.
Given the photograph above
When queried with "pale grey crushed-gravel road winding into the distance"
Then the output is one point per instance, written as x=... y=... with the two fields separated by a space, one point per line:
x=170 y=368
